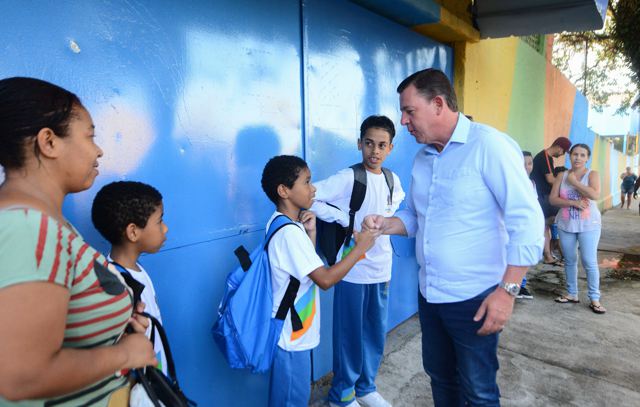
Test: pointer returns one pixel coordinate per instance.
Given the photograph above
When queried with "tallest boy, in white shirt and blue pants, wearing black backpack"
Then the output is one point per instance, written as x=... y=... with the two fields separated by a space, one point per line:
x=360 y=299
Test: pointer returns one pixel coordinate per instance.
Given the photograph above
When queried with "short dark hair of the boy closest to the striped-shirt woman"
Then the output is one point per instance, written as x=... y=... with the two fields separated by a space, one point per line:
x=121 y=203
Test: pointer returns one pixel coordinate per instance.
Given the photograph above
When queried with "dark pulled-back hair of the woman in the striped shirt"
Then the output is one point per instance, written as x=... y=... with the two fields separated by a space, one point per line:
x=28 y=105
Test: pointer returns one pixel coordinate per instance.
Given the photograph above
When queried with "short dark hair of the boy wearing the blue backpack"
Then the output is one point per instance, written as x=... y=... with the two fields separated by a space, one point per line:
x=281 y=170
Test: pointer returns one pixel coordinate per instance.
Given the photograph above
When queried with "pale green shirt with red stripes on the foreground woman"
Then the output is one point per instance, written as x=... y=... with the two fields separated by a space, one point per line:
x=36 y=247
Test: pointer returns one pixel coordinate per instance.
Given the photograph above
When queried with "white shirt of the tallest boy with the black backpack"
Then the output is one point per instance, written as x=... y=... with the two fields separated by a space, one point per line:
x=375 y=267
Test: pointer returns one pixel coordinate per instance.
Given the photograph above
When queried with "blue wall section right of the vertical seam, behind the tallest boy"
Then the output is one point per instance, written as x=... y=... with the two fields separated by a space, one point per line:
x=354 y=60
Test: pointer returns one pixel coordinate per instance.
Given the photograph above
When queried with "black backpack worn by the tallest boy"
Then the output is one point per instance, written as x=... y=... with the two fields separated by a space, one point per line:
x=330 y=236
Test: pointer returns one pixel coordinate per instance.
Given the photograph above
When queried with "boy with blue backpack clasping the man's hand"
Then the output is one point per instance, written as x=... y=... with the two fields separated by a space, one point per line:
x=287 y=182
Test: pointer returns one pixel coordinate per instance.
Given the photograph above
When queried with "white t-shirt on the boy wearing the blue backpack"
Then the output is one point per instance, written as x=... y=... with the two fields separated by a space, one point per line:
x=291 y=253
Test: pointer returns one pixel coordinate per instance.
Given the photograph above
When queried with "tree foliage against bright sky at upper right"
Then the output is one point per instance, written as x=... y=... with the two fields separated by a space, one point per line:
x=605 y=64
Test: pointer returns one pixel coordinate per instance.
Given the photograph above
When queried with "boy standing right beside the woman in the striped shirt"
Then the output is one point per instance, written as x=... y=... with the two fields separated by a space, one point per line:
x=129 y=215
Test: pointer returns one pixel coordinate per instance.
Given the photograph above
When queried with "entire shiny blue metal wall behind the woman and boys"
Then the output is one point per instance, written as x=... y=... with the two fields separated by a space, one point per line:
x=193 y=98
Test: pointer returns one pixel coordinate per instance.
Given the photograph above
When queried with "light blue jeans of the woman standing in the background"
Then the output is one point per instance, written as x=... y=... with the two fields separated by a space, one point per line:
x=588 y=245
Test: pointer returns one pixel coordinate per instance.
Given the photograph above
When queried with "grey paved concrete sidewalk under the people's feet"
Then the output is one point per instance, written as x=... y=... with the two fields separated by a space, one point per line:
x=550 y=354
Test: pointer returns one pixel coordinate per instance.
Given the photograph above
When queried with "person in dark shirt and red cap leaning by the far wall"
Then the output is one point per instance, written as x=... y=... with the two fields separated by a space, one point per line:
x=543 y=176
